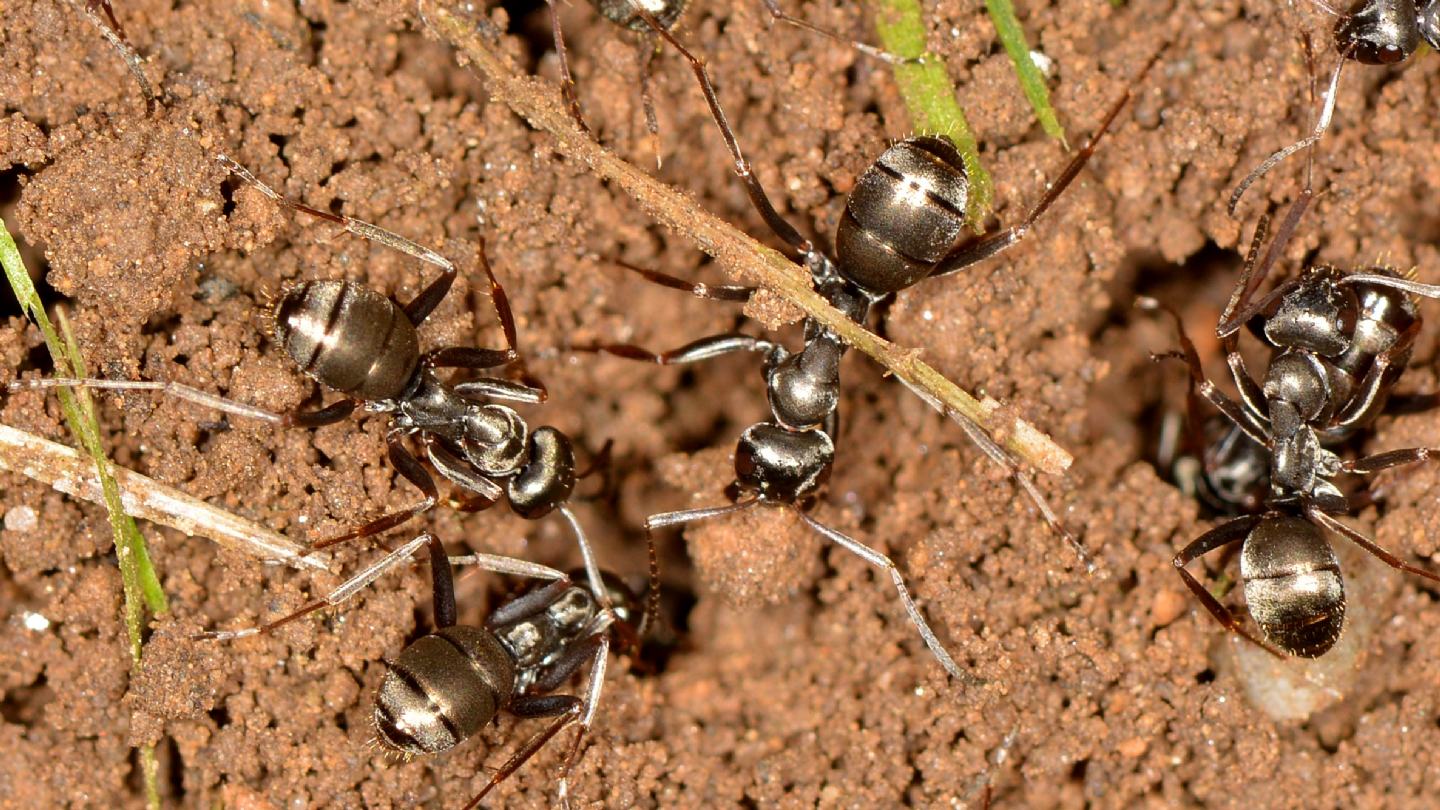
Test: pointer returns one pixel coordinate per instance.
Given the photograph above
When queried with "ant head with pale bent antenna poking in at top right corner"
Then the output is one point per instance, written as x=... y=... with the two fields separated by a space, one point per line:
x=1372 y=32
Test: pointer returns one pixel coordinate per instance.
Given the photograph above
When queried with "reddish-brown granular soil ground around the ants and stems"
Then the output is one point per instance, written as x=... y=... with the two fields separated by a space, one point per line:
x=797 y=680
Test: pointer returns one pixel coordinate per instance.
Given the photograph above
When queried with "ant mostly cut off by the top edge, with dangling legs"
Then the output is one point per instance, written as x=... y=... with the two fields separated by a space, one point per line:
x=631 y=15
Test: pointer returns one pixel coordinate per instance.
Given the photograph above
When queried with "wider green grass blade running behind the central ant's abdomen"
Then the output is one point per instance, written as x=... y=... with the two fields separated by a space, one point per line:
x=925 y=86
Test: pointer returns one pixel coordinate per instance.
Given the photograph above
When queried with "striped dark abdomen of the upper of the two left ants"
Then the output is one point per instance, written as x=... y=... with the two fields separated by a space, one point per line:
x=349 y=338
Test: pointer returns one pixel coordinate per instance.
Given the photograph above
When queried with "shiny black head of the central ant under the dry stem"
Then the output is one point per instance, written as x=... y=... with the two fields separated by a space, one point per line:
x=781 y=465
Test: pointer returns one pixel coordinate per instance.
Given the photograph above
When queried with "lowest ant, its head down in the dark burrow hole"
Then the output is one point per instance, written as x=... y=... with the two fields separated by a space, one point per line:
x=451 y=682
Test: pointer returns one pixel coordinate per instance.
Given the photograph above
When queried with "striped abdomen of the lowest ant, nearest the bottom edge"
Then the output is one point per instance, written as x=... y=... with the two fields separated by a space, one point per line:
x=441 y=690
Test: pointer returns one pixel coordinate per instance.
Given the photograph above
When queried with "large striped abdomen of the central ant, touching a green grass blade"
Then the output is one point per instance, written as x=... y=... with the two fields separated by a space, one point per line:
x=904 y=215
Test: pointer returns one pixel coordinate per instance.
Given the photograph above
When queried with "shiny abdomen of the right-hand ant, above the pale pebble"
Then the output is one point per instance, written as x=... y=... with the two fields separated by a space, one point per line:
x=1294 y=586
